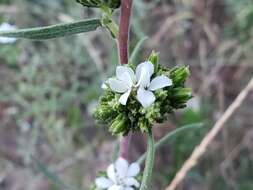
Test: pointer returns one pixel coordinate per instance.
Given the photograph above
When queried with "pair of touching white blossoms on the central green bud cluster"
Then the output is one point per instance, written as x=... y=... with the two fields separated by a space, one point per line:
x=126 y=79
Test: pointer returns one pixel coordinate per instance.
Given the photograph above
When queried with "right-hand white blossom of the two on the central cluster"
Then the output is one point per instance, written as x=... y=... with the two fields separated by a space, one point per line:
x=144 y=71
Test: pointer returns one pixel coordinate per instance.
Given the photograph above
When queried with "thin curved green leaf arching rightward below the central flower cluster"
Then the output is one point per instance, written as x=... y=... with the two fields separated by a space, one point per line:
x=170 y=136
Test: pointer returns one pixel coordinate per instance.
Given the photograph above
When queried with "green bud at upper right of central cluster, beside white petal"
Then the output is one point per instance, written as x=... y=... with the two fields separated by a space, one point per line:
x=179 y=75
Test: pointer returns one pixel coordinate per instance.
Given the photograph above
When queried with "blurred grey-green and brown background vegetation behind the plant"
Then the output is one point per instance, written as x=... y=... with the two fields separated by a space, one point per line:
x=48 y=91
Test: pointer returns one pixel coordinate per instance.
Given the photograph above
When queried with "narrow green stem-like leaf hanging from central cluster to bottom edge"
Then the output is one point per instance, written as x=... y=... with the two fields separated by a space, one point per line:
x=147 y=174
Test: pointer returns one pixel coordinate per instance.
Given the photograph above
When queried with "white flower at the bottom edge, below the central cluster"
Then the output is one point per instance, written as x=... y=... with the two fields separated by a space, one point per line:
x=120 y=176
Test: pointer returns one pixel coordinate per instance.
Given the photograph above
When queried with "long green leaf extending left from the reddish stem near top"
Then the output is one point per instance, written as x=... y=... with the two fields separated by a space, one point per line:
x=54 y=31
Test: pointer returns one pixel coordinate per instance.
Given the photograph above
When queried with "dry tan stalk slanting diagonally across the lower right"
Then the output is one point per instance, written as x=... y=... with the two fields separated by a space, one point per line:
x=201 y=149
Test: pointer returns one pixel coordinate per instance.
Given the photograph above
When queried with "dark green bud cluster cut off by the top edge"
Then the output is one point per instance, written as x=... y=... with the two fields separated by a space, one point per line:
x=114 y=4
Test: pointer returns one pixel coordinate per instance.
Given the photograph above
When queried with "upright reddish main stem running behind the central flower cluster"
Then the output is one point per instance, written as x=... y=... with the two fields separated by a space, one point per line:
x=125 y=15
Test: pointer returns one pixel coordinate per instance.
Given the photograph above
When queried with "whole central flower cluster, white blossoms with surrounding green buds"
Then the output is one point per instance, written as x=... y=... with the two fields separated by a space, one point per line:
x=134 y=101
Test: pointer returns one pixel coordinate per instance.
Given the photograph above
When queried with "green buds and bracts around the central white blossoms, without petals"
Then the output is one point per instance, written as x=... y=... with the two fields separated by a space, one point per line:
x=133 y=116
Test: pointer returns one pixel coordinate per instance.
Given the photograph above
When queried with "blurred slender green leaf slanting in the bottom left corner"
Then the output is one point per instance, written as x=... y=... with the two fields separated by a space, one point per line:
x=50 y=175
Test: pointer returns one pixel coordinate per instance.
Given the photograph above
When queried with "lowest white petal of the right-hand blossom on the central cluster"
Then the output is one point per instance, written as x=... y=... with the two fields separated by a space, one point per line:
x=145 y=97
